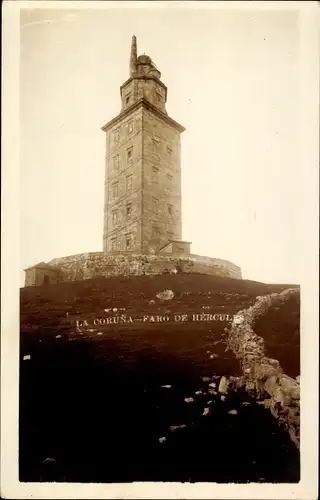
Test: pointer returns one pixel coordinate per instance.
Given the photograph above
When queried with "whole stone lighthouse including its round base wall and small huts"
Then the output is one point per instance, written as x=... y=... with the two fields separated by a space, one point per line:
x=142 y=210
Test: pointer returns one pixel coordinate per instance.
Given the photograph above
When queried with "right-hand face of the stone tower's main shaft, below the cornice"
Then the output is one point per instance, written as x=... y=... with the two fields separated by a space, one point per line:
x=161 y=182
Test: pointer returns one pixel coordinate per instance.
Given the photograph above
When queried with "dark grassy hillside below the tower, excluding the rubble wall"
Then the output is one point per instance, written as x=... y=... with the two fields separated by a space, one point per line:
x=120 y=382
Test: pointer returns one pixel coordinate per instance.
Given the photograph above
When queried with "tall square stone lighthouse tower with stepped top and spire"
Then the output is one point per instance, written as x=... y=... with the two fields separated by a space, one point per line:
x=142 y=211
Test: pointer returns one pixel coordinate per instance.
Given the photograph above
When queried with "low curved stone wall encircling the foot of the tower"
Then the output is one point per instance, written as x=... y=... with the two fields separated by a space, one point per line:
x=89 y=265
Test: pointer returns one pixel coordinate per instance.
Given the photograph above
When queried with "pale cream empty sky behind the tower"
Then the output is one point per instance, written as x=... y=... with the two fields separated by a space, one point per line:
x=233 y=79
